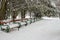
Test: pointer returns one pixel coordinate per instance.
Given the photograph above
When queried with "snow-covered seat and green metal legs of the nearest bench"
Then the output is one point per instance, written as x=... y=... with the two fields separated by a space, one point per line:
x=8 y=27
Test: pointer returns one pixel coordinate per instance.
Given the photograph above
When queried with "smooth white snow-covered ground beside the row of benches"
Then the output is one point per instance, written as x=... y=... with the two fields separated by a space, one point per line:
x=46 y=29
